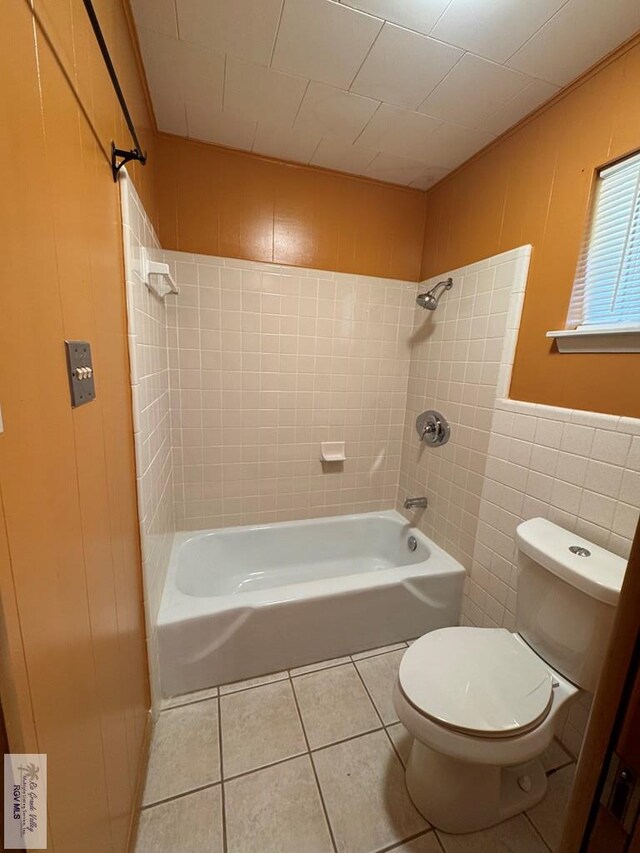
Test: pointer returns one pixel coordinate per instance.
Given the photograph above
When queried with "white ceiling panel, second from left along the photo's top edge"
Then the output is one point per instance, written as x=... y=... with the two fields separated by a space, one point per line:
x=244 y=28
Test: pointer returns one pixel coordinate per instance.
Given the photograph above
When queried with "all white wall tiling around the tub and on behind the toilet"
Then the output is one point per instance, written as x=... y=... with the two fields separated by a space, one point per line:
x=253 y=365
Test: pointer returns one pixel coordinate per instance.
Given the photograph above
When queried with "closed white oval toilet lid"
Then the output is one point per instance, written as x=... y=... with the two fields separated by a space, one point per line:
x=476 y=680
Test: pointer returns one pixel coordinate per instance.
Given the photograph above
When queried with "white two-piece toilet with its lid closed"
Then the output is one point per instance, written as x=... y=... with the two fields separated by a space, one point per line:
x=482 y=704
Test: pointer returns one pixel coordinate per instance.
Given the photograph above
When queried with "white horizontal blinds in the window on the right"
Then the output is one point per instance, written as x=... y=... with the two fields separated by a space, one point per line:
x=606 y=290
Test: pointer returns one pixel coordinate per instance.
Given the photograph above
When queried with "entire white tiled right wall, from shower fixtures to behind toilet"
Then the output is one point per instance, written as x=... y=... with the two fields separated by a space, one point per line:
x=507 y=460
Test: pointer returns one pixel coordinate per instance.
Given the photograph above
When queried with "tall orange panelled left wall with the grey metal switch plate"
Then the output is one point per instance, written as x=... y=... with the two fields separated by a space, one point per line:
x=74 y=672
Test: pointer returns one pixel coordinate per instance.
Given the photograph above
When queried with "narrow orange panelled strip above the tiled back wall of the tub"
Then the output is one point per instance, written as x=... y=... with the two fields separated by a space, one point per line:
x=221 y=202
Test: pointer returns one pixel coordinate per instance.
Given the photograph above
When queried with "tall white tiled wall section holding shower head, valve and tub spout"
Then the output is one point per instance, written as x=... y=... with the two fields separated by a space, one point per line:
x=461 y=355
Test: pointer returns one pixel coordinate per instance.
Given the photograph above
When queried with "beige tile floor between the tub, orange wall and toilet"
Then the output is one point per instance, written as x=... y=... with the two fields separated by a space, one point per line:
x=308 y=761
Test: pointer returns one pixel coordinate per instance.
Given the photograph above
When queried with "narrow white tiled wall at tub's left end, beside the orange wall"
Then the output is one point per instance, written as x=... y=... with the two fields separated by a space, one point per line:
x=147 y=326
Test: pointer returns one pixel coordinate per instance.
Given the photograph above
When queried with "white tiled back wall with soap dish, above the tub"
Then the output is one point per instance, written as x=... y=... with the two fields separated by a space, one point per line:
x=267 y=362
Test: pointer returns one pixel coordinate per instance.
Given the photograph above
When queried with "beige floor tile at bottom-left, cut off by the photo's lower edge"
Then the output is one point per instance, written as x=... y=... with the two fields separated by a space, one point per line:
x=190 y=824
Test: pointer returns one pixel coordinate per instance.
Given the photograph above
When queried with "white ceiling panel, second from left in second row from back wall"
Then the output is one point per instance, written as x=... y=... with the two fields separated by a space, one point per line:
x=257 y=93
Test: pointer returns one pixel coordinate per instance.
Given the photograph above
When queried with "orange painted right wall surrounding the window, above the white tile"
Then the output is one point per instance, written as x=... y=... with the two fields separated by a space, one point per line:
x=534 y=187
